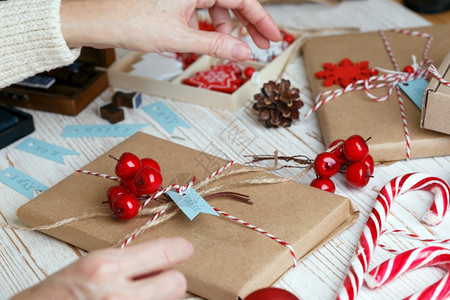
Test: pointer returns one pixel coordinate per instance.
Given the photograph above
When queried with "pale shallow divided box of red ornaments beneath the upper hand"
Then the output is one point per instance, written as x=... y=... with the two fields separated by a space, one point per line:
x=118 y=75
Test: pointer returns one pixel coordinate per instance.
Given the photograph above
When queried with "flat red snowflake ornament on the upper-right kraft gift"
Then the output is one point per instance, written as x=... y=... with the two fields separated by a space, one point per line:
x=345 y=73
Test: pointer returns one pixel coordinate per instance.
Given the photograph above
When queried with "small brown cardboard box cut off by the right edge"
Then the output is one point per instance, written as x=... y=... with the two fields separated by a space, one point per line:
x=436 y=102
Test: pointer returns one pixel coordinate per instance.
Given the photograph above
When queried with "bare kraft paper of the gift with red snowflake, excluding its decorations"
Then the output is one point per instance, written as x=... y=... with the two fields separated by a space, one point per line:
x=355 y=113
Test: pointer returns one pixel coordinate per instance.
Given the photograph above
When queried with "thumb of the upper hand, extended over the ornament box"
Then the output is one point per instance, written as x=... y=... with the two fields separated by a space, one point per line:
x=215 y=44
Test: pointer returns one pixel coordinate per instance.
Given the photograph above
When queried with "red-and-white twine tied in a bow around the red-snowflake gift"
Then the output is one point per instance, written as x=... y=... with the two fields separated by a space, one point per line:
x=390 y=80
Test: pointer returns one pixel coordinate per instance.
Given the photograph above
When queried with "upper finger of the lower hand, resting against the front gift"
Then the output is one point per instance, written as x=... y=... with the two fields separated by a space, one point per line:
x=154 y=256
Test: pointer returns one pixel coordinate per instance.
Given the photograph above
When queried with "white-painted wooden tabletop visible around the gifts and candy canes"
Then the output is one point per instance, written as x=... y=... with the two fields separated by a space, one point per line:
x=29 y=257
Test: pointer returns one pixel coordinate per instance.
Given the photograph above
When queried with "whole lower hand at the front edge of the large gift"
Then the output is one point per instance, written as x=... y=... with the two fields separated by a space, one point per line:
x=136 y=272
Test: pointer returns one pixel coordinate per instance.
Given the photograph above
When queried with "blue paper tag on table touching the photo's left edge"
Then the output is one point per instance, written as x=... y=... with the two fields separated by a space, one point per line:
x=21 y=182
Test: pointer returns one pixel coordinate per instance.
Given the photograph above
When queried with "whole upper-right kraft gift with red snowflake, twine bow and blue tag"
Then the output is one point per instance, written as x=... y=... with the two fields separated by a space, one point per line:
x=362 y=84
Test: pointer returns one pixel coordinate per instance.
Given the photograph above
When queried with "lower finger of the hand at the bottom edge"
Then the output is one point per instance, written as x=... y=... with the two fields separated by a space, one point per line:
x=170 y=284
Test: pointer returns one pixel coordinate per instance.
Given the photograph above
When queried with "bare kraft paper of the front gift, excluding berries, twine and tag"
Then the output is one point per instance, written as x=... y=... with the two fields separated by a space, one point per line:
x=230 y=260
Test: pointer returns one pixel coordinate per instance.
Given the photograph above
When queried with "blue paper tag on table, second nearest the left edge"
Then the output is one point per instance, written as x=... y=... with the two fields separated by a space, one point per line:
x=45 y=150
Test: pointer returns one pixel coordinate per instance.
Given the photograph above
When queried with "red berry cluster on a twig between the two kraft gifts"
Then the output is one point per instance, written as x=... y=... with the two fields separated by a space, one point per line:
x=351 y=155
